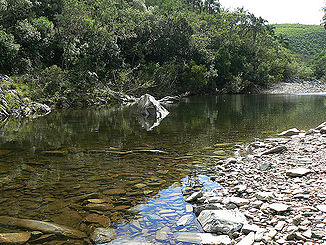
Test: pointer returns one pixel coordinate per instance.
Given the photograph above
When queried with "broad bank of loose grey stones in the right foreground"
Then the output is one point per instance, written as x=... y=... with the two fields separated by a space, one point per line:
x=275 y=193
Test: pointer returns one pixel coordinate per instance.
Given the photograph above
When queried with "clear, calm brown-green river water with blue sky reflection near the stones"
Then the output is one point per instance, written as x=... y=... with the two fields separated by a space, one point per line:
x=74 y=166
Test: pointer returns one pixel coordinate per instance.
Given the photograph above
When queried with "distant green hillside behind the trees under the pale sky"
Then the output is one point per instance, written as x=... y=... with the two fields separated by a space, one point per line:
x=303 y=39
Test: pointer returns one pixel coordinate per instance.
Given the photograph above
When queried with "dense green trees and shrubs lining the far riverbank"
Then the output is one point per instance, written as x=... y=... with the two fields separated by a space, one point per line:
x=68 y=52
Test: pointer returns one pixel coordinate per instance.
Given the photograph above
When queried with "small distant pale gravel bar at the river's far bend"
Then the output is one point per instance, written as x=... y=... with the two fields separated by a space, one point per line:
x=297 y=87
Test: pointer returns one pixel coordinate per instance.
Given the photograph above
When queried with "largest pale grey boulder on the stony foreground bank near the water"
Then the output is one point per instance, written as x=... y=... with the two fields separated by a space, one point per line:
x=221 y=221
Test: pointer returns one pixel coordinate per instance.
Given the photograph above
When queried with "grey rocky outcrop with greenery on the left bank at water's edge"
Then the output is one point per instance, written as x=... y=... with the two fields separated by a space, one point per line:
x=12 y=103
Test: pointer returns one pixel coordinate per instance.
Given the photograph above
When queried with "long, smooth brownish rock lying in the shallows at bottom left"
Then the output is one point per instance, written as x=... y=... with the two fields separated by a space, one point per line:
x=45 y=227
